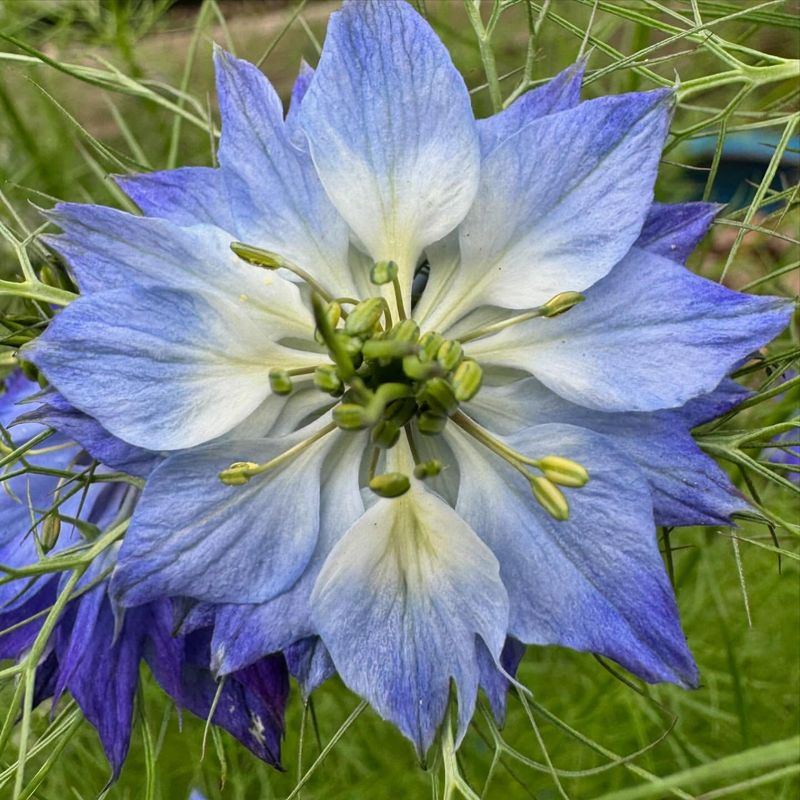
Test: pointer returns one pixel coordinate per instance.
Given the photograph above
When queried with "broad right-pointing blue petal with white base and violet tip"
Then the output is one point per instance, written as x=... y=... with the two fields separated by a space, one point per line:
x=651 y=335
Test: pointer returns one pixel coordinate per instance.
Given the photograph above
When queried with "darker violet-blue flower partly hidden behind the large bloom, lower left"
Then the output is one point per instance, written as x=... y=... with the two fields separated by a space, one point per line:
x=95 y=649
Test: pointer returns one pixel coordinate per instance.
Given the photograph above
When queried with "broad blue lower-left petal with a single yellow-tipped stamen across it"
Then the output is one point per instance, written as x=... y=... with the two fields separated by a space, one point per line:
x=259 y=536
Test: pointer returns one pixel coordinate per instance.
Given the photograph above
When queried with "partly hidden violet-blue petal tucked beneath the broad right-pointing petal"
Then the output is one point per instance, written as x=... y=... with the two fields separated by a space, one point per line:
x=688 y=487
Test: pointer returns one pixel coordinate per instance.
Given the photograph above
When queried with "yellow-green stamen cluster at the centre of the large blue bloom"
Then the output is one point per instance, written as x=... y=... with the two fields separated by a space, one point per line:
x=390 y=378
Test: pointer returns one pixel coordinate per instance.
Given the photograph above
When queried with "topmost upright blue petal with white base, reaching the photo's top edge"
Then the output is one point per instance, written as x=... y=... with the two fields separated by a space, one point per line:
x=391 y=130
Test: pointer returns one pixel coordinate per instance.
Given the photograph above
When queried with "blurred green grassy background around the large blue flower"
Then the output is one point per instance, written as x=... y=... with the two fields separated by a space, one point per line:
x=90 y=88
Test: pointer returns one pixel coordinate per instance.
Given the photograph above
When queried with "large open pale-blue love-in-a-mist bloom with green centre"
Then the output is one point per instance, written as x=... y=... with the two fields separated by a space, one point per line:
x=398 y=483
